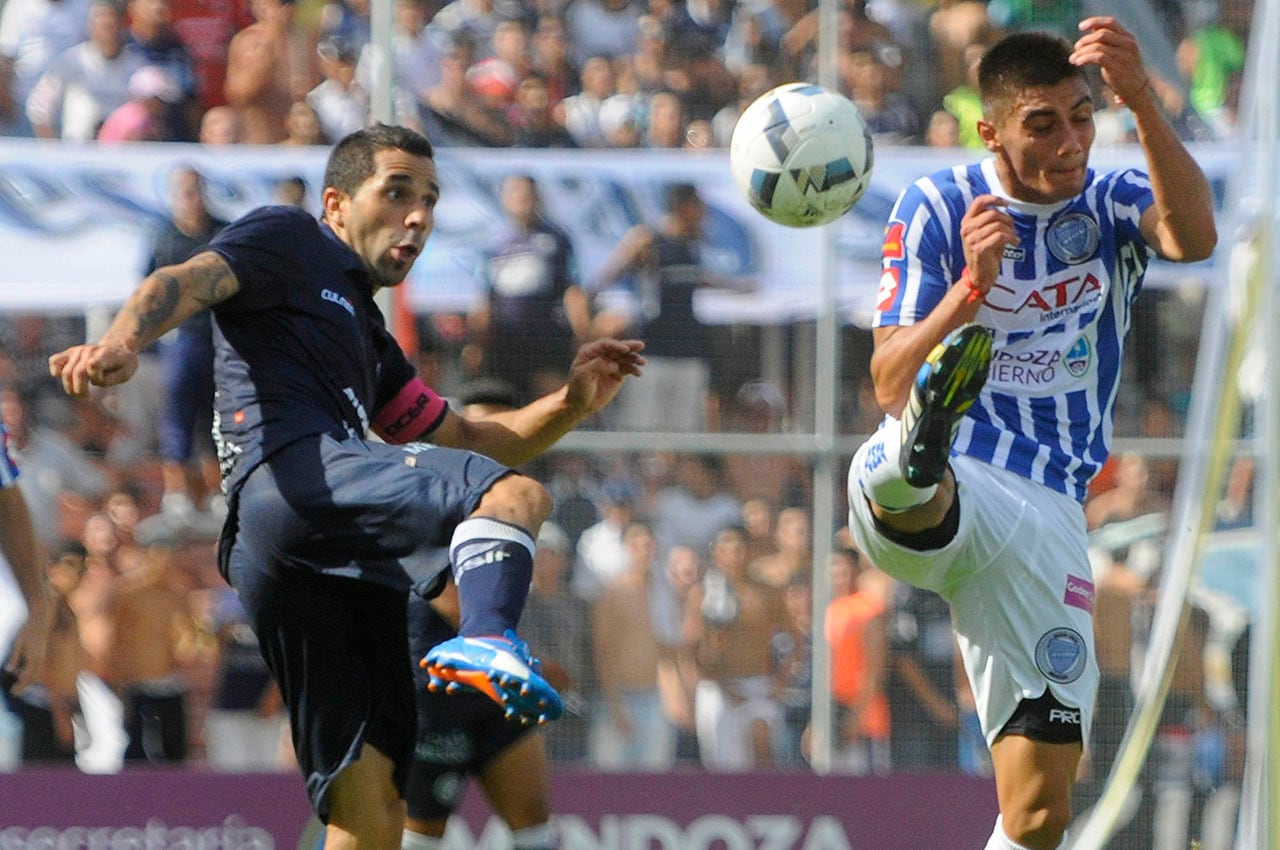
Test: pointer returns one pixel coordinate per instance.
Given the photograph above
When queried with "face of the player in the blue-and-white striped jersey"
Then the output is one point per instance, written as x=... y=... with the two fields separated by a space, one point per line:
x=1043 y=143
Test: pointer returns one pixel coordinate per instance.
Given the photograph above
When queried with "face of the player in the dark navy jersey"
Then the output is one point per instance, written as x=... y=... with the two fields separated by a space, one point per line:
x=391 y=216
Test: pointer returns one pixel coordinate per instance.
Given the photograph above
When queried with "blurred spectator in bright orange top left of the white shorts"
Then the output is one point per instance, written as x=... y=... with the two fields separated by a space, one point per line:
x=856 y=628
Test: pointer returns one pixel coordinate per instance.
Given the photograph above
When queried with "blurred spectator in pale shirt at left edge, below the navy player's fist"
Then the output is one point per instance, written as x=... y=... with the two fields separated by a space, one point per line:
x=58 y=476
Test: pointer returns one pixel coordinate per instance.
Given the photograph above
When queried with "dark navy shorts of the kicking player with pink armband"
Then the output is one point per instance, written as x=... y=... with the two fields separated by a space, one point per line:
x=323 y=543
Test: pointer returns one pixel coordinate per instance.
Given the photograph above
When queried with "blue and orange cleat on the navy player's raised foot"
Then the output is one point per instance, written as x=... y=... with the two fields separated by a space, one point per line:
x=499 y=668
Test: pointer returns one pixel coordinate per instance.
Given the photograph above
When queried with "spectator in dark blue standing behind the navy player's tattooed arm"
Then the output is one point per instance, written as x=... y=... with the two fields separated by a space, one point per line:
x=189 y=463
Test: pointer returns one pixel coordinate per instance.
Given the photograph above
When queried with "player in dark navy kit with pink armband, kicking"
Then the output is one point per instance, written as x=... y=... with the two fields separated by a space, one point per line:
x=328 y=531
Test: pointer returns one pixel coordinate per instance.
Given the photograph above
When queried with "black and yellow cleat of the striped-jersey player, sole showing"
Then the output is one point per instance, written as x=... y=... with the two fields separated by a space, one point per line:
x=945 y=389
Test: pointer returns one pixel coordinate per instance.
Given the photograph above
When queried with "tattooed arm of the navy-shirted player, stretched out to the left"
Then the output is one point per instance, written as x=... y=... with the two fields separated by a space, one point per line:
x=163 y=301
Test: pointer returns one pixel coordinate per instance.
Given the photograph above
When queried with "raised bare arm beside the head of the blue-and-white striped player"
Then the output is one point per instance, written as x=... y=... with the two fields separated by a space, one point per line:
x=1180 y=226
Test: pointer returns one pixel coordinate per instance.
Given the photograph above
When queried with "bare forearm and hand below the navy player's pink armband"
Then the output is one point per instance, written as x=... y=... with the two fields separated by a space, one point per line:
x=516 y=437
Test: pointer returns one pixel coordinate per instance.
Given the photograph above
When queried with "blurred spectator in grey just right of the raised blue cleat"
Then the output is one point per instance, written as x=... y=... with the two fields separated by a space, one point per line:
x=559 y=629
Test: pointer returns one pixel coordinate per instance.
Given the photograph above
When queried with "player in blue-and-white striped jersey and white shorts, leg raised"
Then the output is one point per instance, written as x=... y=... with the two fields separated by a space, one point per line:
x=1005 y=298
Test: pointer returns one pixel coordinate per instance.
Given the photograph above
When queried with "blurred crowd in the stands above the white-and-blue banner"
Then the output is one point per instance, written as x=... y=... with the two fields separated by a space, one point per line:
x=543 y=74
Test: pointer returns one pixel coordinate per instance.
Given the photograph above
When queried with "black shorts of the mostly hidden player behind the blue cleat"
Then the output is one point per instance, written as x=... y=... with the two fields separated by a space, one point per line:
x=458 y=734
